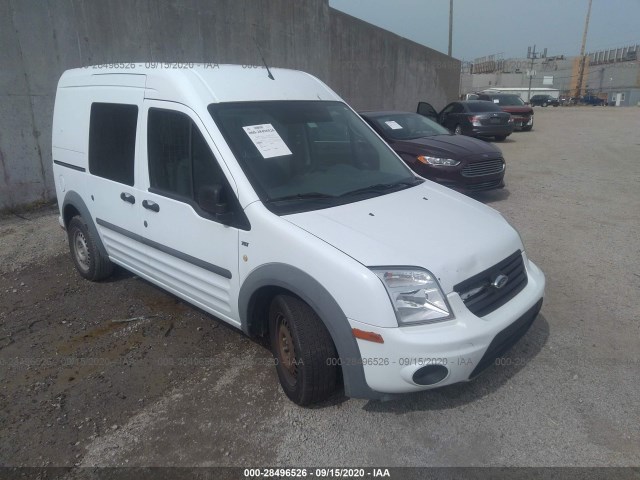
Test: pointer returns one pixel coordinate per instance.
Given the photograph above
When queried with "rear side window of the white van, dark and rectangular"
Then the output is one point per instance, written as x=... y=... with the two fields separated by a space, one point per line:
x=112 y=141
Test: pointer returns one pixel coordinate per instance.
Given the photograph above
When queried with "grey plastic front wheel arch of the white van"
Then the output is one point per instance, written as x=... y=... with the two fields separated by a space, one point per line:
x=269 y=280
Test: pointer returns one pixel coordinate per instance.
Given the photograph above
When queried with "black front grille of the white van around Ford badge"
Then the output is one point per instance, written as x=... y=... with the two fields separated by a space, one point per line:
x=478 y=294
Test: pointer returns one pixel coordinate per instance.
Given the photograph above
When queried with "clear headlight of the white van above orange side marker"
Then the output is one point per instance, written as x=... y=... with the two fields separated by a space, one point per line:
x=415 y=295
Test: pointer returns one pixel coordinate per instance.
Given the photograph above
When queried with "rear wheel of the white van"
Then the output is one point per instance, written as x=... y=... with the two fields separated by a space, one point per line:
x=89 y=261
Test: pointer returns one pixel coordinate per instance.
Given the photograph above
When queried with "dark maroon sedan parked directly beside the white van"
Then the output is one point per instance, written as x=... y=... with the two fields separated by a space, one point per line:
x=457 y=161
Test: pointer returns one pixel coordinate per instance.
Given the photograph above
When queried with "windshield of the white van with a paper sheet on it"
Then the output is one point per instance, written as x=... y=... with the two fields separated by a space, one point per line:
x=308 y=155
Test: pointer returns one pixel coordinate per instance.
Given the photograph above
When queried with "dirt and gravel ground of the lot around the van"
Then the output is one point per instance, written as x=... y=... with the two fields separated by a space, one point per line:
x=121 y=373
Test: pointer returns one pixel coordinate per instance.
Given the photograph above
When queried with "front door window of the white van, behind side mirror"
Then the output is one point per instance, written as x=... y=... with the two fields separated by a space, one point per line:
x=180 y=161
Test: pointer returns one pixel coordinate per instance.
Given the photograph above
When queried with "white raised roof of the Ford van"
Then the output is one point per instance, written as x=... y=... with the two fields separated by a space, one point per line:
x=212 y=82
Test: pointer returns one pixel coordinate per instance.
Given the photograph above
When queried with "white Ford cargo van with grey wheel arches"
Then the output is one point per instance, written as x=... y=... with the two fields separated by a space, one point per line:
x=270 y=204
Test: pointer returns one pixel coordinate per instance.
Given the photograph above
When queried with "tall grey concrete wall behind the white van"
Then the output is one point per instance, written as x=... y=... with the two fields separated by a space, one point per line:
x=39 y=39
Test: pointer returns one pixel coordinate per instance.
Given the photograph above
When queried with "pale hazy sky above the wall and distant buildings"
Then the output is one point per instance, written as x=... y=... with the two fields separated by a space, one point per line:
x=507 y=27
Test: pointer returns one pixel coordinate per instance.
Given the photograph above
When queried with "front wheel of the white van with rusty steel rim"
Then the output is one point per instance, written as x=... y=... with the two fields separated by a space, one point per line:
x=305 y=356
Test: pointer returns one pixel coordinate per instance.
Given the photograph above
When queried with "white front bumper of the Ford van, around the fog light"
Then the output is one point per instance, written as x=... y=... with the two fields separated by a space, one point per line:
x=465 y=345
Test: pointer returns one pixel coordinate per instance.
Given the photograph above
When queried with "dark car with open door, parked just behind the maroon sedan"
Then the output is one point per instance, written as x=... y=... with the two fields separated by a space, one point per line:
x=474 y=118
